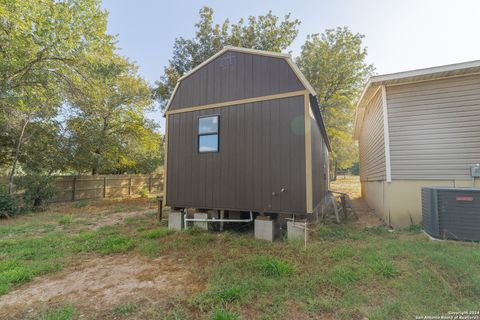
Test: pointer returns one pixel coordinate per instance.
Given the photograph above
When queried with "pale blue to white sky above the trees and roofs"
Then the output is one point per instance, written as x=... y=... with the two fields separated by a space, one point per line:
x=399 y=35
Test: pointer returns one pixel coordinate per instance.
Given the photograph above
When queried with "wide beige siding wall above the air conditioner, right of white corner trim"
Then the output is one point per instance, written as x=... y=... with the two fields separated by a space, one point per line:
x=434 y=128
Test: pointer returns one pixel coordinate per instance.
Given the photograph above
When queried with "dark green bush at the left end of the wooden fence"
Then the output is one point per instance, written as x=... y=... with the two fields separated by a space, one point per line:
x=38 y=189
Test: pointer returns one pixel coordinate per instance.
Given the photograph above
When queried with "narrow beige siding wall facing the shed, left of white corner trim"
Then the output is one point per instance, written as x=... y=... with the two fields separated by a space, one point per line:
x=371 y=142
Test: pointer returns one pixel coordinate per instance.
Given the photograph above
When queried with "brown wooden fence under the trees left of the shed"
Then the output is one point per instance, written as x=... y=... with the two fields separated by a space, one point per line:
x=71 y=188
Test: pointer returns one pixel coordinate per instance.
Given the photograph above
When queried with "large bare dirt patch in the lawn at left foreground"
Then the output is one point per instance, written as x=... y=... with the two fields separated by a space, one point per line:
x=101 y=283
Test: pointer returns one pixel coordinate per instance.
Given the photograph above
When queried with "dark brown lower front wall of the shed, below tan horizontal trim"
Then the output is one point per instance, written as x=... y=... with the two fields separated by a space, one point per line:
x=261 y=150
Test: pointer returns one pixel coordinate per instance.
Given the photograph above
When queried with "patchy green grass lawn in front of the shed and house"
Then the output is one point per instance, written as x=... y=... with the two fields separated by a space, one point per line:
x=345 y=272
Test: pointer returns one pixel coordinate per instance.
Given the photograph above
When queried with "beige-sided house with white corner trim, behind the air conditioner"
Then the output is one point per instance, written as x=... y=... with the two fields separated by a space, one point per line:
x=414 y=129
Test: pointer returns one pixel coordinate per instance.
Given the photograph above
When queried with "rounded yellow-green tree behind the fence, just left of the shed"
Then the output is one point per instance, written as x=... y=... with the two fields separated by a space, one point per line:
x=108 y=128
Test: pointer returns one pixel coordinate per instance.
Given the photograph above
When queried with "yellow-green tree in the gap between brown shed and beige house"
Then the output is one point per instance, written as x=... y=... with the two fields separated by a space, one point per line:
x=334 y=64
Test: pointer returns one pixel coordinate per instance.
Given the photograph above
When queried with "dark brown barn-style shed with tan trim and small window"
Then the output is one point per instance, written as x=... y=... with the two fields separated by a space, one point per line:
x=244 y=132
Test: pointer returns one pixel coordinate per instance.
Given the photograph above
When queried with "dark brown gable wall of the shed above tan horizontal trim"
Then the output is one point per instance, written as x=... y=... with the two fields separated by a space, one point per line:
x=234 y=76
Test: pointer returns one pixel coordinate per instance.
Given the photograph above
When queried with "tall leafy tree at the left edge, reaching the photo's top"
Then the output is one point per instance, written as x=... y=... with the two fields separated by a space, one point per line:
x=42 y=43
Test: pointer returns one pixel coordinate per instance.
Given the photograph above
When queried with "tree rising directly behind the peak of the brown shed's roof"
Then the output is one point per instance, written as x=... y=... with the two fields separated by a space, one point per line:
x=263 y=32
